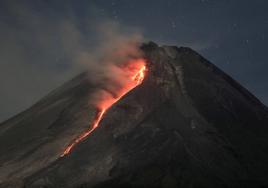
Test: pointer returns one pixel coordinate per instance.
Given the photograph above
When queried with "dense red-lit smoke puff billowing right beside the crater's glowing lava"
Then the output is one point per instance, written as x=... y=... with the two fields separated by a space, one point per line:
x=105 y=64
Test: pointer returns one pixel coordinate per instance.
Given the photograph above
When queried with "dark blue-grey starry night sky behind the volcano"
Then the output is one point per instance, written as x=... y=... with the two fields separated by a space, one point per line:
x=39 y=39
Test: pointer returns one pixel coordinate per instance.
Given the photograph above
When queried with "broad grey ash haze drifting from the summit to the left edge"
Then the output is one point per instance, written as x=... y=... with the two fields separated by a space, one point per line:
x=41 y=48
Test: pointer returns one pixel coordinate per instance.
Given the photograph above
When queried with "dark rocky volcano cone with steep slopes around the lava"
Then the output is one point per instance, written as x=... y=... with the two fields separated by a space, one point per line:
x=187 y=124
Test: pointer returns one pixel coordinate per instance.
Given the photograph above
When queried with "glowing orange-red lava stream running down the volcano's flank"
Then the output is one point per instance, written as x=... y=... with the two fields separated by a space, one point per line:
x=135 y=71
